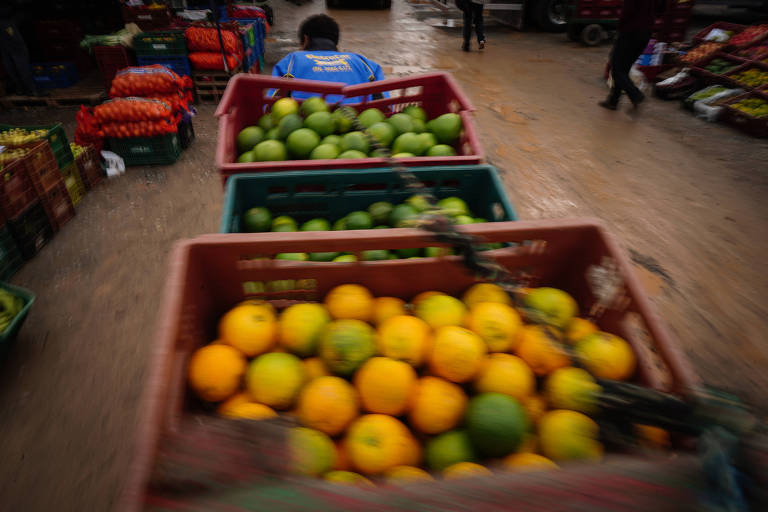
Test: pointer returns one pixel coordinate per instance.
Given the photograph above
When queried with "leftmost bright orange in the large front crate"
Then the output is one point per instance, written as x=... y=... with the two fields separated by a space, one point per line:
x=216 y=372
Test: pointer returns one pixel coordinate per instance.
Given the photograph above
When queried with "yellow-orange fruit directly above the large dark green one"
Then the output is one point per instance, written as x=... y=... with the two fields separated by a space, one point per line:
x=503 y=373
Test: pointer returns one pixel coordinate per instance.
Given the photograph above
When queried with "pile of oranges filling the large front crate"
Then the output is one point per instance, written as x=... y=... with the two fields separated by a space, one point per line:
x=396 y=392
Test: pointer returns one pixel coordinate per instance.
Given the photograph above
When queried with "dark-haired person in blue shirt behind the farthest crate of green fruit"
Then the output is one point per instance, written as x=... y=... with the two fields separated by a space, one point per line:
x=320 y=59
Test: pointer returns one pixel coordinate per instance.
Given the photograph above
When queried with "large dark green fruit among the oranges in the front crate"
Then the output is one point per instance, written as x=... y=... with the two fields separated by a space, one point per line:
x=495 y=424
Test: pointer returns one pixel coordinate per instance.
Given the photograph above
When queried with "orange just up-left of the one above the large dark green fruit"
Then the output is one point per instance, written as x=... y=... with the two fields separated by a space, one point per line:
x=457 y=353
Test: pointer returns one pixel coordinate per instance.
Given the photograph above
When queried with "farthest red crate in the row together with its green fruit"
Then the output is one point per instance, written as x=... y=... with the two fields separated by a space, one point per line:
x=271 y=124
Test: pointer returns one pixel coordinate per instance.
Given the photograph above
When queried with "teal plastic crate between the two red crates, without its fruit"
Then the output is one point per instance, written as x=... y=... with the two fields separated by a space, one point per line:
x=332 y=194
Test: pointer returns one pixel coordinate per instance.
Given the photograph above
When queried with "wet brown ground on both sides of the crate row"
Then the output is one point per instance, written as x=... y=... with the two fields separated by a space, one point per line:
x=686 y=198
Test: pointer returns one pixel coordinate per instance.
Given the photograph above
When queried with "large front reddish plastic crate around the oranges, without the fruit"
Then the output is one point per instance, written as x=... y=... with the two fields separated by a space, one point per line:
x=211 y=273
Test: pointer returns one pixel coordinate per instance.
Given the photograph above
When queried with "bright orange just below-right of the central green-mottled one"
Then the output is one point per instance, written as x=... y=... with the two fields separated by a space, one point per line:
x=385 y=385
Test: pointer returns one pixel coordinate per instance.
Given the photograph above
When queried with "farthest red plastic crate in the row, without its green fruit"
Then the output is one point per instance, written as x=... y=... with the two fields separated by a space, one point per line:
x=245 y=100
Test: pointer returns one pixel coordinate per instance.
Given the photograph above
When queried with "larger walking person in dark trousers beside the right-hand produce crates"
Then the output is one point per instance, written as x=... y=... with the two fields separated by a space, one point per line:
x=635 y=27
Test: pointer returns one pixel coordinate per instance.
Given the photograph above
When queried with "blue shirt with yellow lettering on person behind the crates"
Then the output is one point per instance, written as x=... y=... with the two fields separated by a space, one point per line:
x=328 y=66
